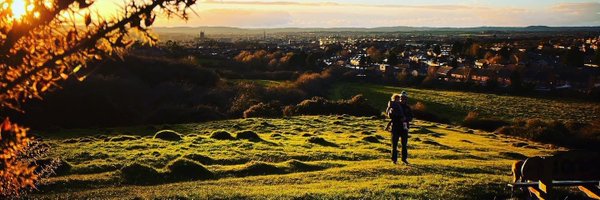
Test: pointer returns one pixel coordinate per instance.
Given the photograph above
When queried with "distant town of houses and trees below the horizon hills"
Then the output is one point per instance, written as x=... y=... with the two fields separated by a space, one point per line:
x=535 y=58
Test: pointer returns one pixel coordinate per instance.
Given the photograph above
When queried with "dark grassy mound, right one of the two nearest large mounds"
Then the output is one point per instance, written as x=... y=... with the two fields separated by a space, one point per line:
x=186 y=169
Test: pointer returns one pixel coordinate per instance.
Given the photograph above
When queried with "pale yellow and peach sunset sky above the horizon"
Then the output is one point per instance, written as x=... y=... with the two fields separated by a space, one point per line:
x=385 y=13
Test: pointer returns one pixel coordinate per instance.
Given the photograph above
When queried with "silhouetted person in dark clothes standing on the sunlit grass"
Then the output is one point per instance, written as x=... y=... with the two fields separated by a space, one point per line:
x=400 y=115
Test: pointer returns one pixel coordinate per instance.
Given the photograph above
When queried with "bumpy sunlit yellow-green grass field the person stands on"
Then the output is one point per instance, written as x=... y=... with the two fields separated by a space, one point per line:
x=307 y=157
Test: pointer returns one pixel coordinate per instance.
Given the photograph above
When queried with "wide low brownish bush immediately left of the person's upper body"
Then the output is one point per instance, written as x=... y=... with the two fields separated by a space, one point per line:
x=356 y=106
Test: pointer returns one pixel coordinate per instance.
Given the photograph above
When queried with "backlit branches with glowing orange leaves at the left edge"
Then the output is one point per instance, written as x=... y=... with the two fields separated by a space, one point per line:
x=51 y=41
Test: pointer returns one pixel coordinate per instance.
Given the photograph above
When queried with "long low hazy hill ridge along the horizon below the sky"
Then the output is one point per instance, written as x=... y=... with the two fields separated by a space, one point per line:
x=236 y=31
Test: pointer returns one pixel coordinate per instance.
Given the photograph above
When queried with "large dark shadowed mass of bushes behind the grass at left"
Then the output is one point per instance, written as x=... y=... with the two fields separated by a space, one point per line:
x=136 y=90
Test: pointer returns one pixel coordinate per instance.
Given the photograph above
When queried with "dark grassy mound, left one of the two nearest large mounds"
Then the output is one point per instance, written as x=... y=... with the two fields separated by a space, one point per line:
x=140 y=174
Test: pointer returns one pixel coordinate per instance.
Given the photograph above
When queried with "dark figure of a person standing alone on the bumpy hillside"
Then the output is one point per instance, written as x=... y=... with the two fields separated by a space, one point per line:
x=396 y=114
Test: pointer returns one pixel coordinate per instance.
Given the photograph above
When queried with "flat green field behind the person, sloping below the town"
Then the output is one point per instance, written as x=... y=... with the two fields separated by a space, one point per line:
x=455 y=105
